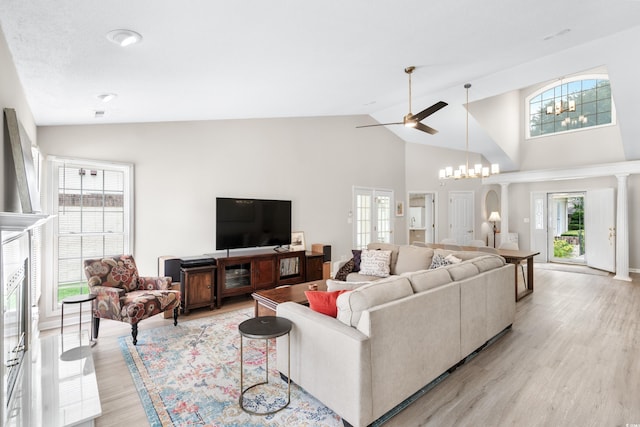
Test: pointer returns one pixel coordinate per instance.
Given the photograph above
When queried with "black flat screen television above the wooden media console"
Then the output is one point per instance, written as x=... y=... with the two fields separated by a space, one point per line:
x=250 y=223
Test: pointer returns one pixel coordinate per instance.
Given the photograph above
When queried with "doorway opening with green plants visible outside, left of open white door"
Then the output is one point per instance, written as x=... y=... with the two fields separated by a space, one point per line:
x=567 y=228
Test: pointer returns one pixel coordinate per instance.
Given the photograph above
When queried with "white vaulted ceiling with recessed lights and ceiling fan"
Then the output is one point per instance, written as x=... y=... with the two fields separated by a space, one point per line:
x=213 y=60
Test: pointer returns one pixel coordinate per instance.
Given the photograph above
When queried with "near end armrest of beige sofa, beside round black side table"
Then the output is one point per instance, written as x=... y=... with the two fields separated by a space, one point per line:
x=330 y=360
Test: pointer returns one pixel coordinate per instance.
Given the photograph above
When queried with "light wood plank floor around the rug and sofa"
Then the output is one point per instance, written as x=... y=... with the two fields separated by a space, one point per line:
x=571 y=359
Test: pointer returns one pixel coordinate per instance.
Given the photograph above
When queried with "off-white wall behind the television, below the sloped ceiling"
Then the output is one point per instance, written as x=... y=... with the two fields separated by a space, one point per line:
x=181 y=167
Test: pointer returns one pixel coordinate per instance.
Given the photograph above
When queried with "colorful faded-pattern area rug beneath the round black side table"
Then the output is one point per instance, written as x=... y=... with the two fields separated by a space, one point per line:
x=189 y=375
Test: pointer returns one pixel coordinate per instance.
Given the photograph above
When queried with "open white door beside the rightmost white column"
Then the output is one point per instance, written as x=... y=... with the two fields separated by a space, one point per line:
x=600 y=229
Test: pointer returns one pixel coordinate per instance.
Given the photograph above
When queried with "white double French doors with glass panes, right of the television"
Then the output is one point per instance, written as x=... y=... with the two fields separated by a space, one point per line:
x=373 y=210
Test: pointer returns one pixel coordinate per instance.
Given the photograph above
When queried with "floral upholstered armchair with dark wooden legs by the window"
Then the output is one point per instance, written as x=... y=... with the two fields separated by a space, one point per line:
x=125 y=296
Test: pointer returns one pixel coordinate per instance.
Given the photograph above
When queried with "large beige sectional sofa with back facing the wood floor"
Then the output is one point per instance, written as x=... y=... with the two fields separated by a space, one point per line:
x=395 y=335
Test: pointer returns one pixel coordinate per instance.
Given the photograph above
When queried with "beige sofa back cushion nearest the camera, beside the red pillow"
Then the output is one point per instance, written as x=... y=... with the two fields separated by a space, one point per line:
x=352 y=304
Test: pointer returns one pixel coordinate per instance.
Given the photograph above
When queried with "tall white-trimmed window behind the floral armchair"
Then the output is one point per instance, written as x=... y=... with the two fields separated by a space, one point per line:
x=92 y=202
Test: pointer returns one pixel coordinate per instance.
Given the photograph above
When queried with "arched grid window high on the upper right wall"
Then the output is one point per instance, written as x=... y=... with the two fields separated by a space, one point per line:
x=573 y=104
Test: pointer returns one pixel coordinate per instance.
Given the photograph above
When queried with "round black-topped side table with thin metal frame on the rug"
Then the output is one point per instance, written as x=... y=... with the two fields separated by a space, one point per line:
x=264 y=328
